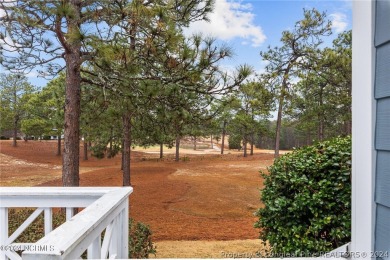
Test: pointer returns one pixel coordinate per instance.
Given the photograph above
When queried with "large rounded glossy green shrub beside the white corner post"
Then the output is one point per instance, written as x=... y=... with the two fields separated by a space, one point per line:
x=307 y=199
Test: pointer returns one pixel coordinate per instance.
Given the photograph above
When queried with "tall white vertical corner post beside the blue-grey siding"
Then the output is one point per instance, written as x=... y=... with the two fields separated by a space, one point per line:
x=363 y=117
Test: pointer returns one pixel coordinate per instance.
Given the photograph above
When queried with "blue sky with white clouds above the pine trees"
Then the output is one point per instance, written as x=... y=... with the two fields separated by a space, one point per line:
x=250 y=26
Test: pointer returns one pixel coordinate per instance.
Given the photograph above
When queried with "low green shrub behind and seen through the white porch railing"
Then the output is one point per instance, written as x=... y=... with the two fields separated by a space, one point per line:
x=140 y=240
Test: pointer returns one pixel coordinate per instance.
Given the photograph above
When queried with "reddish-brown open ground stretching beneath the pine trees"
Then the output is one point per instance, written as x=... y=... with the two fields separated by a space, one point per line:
x=207 y=197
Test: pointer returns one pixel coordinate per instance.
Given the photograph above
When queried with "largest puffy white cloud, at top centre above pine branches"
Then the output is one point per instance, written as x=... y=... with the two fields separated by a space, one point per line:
x=230 y=20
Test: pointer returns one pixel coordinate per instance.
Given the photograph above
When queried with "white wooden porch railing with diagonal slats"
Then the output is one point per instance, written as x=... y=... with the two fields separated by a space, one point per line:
x=105 y=209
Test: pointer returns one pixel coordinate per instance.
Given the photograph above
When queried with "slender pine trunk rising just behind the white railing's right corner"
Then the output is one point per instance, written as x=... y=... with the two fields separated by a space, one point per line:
x=126 y=149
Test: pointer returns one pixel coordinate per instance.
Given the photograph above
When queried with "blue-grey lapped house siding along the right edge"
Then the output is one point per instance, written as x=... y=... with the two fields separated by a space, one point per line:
x=382 y=128
